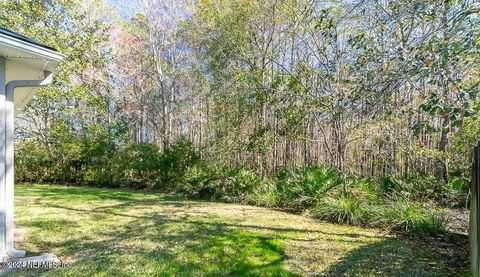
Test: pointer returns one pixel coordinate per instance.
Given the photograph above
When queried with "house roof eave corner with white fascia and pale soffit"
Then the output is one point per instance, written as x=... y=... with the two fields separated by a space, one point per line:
x=26 y=60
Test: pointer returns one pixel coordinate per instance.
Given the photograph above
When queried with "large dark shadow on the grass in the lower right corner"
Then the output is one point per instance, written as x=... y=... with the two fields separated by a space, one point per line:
x=406 y=257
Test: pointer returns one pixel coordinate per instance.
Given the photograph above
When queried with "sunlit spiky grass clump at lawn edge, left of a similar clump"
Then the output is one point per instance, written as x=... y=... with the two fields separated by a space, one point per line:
x=341 y=209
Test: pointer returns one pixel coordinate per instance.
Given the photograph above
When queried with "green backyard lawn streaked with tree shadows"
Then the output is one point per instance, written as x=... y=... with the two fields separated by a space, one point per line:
x=107 y=232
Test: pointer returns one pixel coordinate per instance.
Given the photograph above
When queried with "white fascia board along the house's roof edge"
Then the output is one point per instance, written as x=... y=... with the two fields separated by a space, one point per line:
x=32 y=50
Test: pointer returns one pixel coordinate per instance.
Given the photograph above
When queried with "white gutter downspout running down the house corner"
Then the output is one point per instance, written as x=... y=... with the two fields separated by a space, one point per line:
x=9 y=159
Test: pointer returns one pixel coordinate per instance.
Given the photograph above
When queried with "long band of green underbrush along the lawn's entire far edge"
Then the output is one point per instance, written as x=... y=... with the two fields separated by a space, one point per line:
x=408 y=204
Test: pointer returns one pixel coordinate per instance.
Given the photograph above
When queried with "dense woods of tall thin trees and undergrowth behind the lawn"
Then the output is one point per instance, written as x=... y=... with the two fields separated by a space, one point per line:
x=235 y=99
